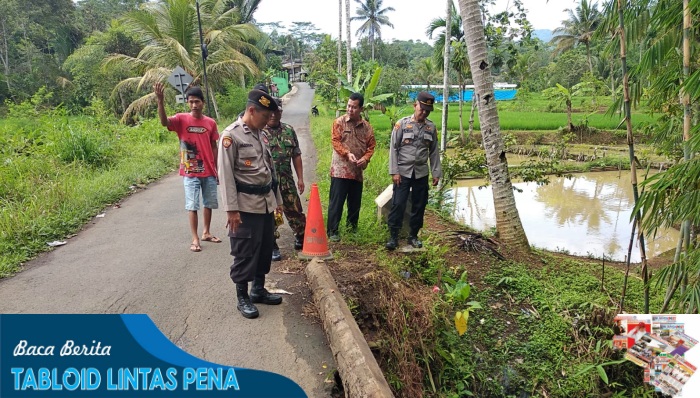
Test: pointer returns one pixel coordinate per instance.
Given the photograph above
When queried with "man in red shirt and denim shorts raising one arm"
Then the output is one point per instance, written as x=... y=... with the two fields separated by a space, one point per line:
x=198 y=136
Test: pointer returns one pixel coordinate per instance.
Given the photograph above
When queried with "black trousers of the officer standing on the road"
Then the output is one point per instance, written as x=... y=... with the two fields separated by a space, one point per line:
x=251 y=247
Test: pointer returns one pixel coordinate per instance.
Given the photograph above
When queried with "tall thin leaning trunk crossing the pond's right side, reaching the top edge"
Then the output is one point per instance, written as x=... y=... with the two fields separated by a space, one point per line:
x=630 y=144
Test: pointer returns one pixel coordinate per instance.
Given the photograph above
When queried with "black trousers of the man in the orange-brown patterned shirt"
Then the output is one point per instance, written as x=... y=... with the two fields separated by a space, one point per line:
x=343 y=189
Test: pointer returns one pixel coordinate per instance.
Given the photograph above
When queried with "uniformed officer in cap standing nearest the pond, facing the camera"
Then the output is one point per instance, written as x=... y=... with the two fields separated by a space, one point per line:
x=413 y=142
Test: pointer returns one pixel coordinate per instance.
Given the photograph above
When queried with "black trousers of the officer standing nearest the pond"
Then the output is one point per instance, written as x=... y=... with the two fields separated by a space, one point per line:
x=418 y=188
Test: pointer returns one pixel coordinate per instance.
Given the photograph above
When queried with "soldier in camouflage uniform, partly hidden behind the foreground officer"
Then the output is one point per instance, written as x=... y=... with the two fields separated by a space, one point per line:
x=284 y=146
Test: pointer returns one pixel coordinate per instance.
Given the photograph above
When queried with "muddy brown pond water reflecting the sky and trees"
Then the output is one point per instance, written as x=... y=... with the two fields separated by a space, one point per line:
x=588 y=214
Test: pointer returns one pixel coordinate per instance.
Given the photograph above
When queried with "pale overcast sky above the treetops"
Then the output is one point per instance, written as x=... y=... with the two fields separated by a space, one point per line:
x=410 y=18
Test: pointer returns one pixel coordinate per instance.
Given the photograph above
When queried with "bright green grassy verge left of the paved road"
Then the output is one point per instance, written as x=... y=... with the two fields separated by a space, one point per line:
x=60 y=170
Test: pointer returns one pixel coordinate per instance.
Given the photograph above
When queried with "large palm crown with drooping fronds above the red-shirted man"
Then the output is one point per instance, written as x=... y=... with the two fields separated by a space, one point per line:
x=170 y=36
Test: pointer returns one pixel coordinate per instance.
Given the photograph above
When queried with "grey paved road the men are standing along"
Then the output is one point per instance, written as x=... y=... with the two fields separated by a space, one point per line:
x=137 y=260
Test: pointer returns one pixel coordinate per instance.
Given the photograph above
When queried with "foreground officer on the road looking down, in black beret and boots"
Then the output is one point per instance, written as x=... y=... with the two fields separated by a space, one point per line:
x=250 y=197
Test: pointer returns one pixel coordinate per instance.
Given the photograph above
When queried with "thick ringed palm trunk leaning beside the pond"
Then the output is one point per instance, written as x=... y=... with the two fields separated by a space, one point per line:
x=508 y=223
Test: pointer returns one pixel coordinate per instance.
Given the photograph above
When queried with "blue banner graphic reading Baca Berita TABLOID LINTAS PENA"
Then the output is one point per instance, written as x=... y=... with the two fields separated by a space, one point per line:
x=115 y=356
